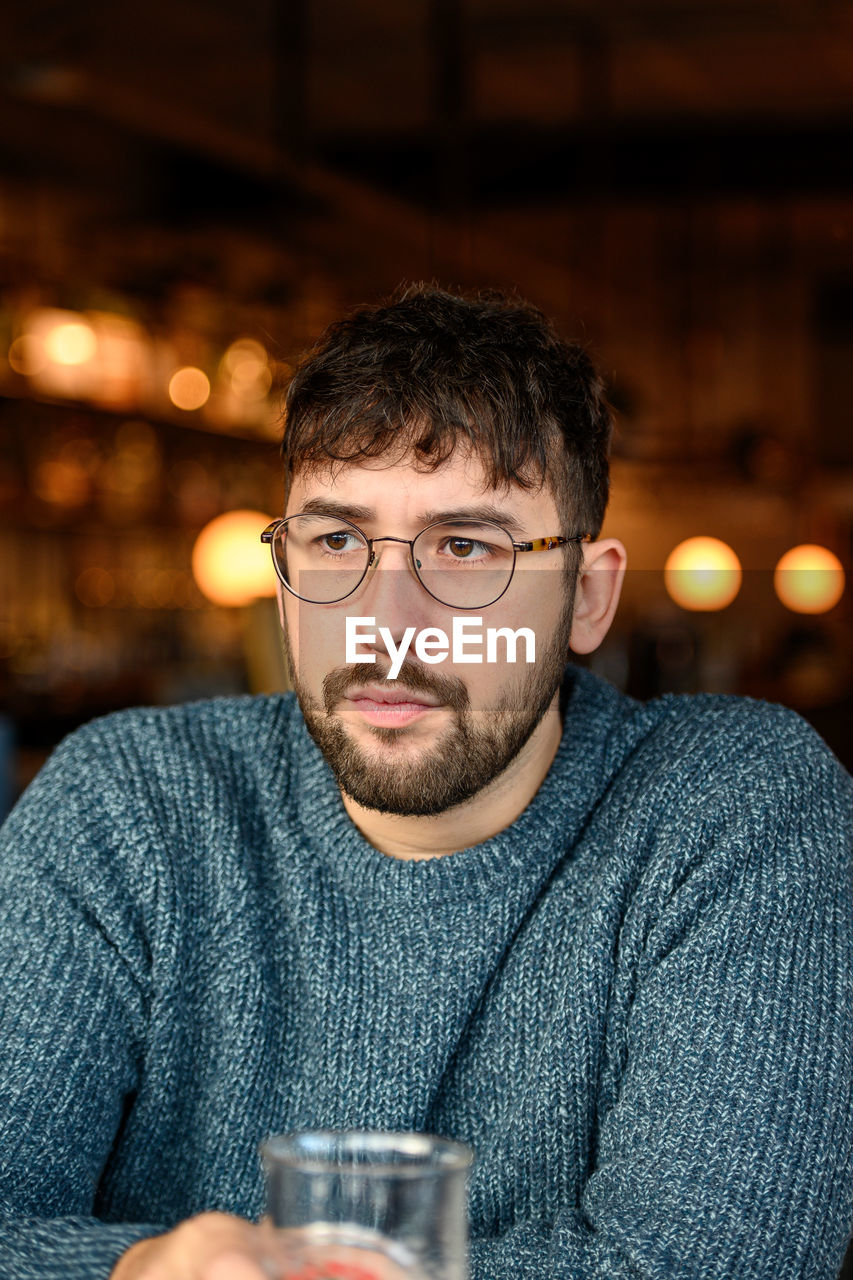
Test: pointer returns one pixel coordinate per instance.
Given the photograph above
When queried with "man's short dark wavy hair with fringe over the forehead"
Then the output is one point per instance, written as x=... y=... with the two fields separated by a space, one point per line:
x=426 y=371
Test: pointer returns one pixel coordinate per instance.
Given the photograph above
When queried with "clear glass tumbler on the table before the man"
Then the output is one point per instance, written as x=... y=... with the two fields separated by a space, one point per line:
x=358 y=1205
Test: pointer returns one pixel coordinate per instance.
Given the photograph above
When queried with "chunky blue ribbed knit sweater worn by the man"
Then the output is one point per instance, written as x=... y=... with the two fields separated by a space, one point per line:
x=636 y=1003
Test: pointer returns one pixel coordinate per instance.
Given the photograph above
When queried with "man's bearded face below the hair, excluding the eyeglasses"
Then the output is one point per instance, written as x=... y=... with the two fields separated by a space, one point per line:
x=462 y=725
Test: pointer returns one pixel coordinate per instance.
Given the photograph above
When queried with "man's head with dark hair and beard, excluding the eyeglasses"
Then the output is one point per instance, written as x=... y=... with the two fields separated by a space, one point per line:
x=426 y=405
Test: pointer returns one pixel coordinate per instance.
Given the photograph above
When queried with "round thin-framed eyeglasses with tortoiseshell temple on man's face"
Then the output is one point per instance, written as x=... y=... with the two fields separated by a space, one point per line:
x=464 y=564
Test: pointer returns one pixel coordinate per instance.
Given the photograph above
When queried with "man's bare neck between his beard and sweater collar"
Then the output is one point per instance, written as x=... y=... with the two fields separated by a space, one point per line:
x=475 y=821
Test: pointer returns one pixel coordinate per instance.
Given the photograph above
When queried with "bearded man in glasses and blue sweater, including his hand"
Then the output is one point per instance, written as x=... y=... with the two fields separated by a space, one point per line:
x=609 y=945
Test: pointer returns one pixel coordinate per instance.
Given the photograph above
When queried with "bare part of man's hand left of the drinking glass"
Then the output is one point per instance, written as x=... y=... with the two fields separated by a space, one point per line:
x=208 y=1247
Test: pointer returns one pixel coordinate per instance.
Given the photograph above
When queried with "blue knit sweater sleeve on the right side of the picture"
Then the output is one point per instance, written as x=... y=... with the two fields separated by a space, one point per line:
x=727 y=1150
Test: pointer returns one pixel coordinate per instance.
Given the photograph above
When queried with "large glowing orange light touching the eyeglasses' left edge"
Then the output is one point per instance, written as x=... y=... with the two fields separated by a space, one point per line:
x=230 y=563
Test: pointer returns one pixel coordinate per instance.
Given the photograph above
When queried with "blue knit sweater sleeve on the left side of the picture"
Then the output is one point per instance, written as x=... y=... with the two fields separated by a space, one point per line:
x=72 y=1017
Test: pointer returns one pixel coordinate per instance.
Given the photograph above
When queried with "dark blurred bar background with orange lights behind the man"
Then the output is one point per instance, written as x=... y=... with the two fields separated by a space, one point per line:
x=191 y=191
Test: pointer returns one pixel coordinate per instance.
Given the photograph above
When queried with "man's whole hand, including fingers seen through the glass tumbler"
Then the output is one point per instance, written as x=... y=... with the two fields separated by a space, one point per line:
x=223 y=1247
